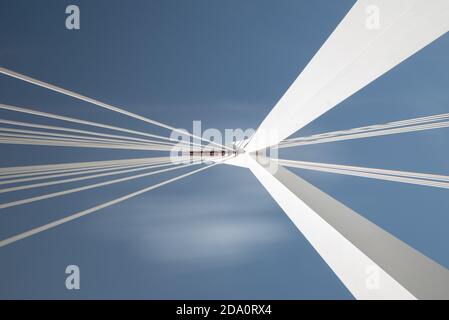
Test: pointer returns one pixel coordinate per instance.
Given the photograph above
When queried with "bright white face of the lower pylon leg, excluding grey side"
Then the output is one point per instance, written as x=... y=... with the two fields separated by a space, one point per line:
x=350 y=264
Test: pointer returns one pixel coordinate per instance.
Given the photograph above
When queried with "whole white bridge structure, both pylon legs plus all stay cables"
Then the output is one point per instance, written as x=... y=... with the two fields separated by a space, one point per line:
x=359 y=51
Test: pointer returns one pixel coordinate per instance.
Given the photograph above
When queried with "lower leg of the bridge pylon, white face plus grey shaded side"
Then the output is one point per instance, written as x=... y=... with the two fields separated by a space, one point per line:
x=356 y=250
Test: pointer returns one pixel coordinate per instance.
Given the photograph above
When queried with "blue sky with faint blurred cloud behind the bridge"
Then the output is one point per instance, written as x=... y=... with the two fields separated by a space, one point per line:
x=217 y=234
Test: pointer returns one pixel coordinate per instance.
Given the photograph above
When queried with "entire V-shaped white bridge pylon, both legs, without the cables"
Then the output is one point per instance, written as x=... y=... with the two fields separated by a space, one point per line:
x=355 y=54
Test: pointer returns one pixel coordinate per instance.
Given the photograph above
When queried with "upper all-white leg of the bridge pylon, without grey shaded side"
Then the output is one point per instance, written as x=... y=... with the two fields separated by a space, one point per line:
x=358 y=52
